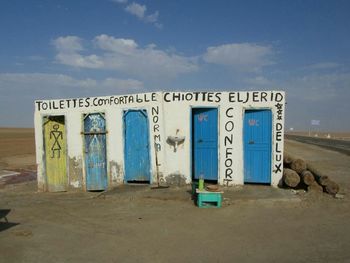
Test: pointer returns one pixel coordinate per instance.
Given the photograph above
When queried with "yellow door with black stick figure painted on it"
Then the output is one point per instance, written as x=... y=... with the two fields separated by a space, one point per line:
x=55 y=153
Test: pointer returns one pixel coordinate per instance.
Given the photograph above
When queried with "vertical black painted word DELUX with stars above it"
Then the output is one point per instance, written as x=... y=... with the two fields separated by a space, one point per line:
x=278 y=137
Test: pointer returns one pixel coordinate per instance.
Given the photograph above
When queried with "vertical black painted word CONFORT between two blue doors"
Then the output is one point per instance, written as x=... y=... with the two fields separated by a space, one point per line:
x=228 y=144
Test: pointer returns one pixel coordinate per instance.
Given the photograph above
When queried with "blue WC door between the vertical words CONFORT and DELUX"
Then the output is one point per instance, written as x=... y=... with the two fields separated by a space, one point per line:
x=257 y=146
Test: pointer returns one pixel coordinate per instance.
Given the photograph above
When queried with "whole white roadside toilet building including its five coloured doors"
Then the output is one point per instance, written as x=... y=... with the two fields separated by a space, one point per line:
x=96 y=143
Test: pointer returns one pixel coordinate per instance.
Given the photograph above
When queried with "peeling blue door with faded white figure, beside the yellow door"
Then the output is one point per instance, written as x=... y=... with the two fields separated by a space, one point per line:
x=95 y=151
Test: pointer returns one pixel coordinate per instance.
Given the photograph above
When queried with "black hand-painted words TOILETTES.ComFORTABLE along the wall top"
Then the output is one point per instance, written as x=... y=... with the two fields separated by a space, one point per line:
x=95 y=101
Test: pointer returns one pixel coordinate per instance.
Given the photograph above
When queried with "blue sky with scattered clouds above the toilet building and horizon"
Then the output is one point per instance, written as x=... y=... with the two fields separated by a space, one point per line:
x=60 y=49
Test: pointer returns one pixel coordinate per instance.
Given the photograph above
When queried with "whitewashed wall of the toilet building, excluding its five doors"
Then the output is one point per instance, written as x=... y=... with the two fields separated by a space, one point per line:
x=169 y=114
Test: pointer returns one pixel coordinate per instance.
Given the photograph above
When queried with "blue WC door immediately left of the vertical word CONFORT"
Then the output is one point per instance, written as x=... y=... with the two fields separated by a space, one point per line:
x=205 y=143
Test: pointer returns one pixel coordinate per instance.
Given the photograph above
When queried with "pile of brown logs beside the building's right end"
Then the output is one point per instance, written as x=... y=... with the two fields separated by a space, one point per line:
x=299 y=174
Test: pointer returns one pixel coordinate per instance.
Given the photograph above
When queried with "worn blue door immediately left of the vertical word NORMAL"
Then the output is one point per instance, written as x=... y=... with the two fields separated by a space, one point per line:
x=136 y=134
